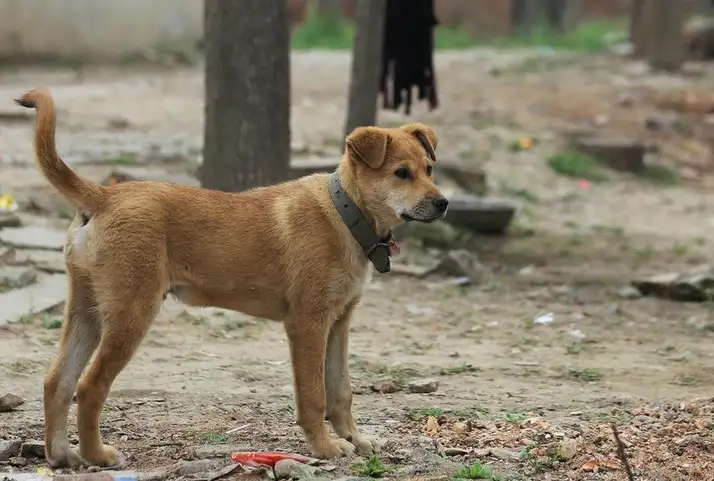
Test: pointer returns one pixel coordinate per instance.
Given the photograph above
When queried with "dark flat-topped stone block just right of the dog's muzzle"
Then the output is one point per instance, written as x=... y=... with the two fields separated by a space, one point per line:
x=482 y=215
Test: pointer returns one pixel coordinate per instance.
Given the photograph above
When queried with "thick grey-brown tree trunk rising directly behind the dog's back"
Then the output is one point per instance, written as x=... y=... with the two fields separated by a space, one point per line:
x=247 y=94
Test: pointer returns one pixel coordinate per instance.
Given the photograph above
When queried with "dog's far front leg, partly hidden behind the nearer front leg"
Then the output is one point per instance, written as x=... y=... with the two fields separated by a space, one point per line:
x=339 y=388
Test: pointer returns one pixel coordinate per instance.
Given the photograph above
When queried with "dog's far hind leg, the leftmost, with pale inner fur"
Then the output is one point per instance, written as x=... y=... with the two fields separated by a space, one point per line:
x=78 y=340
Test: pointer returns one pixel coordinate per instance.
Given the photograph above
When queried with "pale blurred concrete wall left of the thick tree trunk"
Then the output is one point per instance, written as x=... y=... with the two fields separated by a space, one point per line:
x=96 y=28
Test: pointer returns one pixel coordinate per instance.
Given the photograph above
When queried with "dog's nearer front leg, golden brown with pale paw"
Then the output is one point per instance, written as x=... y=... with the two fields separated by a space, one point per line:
x=308 y=343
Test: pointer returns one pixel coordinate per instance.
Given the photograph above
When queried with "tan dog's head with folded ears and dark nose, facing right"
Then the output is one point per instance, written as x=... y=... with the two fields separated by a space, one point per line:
x=392 y=169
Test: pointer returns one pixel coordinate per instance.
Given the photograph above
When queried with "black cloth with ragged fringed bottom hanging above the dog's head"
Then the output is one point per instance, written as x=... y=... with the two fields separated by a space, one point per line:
x=407 y=54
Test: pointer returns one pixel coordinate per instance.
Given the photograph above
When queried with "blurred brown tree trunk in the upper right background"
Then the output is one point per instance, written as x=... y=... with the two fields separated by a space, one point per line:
x=665 y=36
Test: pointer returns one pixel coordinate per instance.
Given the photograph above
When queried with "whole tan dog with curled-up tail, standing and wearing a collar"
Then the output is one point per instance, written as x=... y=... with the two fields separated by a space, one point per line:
x=293 y=252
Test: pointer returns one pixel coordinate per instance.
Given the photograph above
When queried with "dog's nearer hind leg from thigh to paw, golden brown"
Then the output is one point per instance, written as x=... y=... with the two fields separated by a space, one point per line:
x=128 y=305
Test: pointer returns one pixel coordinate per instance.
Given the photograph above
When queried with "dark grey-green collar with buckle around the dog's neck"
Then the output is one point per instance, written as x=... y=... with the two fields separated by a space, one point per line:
x=377 y=249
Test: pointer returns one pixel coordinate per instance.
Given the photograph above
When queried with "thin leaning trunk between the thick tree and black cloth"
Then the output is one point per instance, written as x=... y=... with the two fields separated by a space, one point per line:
x=366 y=64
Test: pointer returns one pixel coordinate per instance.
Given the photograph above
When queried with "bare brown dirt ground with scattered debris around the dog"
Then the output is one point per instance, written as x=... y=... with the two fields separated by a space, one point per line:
x=513 y=394
